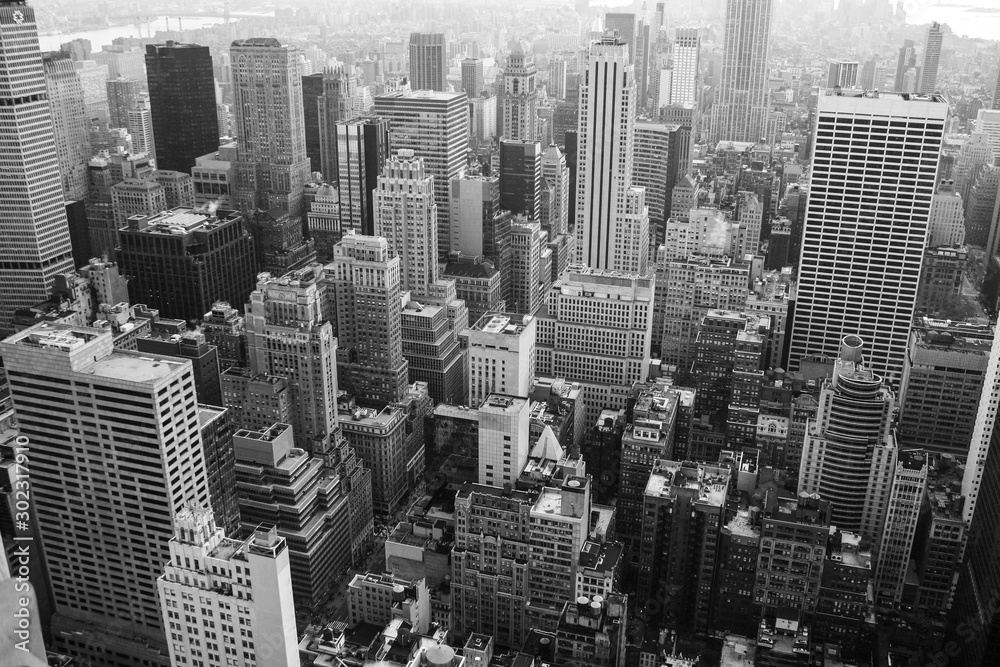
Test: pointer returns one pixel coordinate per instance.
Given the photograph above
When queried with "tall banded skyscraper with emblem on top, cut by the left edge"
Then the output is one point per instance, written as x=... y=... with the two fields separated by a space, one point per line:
x=34 y=234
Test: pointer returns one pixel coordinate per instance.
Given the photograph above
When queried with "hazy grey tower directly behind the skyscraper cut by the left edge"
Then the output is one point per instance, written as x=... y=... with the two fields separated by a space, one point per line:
x=69 y=124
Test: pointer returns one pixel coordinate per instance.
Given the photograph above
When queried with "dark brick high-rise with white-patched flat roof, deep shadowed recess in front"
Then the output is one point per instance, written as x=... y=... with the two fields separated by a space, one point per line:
x=682 y=516
